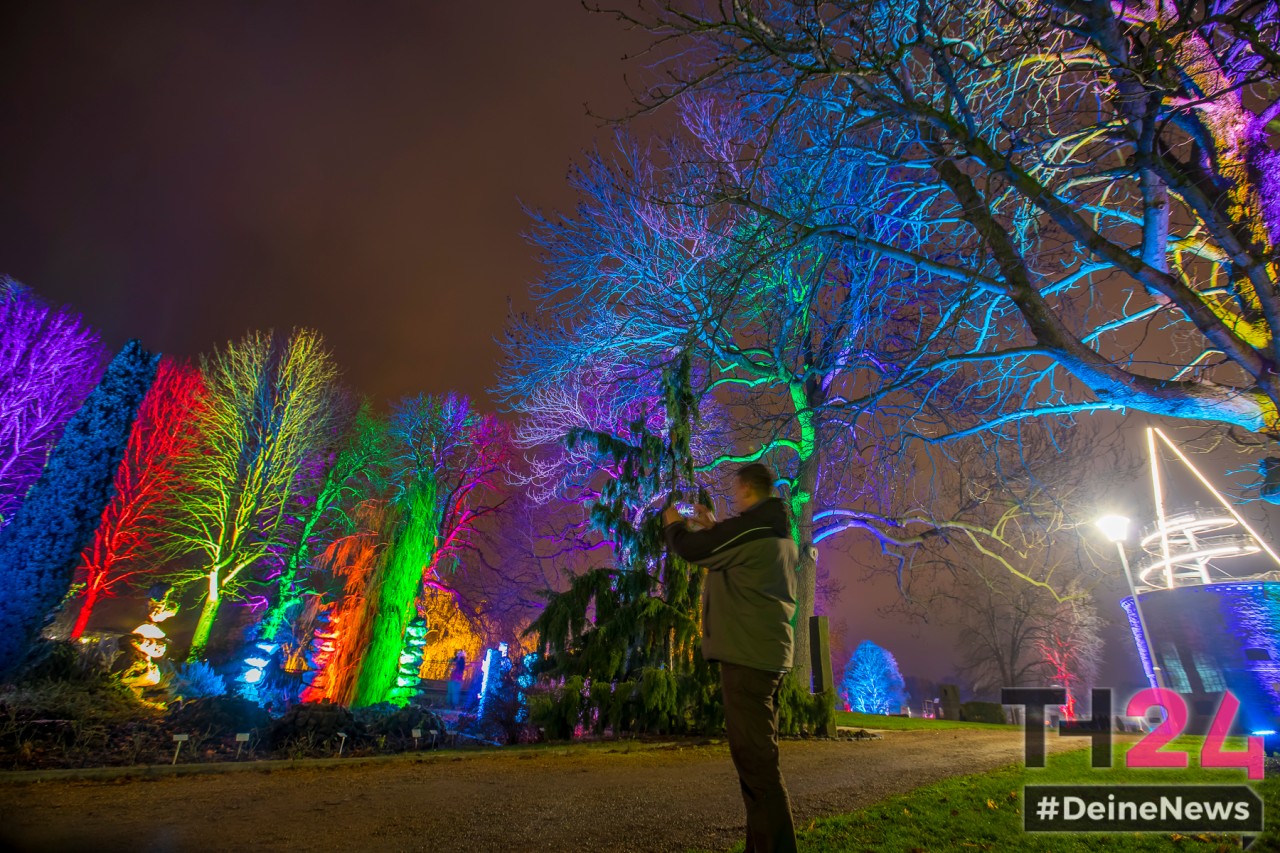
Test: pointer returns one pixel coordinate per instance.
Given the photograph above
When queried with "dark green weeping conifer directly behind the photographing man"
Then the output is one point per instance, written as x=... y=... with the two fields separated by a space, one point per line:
x=621 y=647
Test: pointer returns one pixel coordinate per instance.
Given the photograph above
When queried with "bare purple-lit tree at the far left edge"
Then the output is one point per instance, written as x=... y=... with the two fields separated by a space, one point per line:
x=49 y=363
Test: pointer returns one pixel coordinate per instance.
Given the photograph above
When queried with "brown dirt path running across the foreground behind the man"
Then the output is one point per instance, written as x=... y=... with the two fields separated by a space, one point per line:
x=614 y=797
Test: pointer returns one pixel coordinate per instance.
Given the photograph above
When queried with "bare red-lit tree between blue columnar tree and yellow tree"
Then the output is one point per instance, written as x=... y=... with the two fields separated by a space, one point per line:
x=131 y=537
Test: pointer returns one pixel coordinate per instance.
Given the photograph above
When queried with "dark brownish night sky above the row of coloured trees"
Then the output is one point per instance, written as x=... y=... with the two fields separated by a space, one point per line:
x=185 y=174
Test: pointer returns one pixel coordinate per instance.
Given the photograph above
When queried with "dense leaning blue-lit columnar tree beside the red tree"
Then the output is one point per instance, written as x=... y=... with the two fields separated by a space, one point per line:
x=40 y=550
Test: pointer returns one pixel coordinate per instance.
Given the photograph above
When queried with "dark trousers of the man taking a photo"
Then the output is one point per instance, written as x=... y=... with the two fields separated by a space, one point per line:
x=752 y=720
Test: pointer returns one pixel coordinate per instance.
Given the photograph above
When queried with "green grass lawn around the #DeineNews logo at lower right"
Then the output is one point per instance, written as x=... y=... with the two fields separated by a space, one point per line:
x=984 y=813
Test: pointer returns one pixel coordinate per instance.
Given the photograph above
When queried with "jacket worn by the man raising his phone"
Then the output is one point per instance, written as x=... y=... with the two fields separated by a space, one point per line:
x=749 y=599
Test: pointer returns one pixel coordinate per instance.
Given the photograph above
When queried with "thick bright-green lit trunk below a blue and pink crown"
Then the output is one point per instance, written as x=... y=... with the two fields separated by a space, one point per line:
x=397 y=599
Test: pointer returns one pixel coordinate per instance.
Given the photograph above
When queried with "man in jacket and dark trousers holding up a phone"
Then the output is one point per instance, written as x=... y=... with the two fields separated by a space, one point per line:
x=749 y=601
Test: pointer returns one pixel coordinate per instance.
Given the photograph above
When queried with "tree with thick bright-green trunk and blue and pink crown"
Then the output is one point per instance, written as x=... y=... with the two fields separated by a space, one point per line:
x=446 y=462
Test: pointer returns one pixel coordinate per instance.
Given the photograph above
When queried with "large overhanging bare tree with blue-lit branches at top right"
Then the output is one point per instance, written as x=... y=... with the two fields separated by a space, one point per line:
x=1089 y=186
